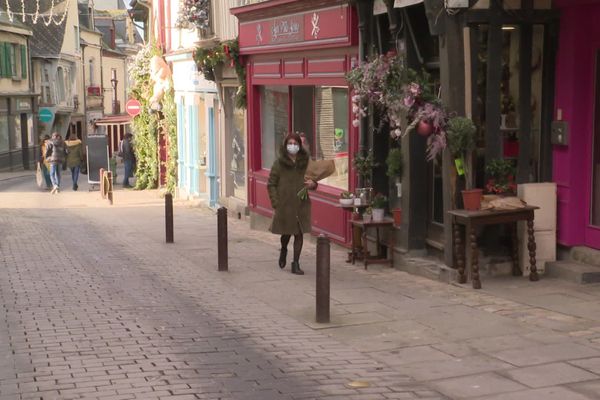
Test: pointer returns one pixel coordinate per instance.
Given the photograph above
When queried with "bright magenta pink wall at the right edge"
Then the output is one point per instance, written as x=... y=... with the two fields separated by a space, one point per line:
x=579 y=40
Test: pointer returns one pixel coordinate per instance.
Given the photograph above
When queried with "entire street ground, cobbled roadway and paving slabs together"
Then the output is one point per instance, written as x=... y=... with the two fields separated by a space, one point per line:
x=96 y=306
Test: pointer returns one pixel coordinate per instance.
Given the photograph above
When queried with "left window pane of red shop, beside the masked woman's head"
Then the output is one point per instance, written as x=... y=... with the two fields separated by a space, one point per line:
x=274 y=121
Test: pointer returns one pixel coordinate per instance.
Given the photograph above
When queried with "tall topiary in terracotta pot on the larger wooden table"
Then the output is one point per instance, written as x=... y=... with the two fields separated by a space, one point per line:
x=461 y=141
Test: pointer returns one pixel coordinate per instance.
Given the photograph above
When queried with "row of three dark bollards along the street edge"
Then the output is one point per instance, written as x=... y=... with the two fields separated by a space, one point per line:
x=323 y=257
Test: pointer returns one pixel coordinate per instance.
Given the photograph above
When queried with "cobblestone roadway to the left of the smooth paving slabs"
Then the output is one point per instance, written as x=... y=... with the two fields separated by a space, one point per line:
x=96 y=306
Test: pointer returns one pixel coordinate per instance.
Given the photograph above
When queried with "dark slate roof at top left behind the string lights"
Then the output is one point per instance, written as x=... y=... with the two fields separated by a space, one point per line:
x=47 y=40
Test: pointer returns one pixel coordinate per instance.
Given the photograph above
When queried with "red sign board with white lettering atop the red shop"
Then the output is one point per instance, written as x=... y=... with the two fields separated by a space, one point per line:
x=322 y=26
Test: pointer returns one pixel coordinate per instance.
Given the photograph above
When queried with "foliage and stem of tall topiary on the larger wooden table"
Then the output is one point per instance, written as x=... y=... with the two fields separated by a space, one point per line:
x=461 y=141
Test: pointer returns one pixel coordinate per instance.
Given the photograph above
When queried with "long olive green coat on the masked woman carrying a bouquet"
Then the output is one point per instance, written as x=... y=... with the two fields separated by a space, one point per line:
x=292 y=215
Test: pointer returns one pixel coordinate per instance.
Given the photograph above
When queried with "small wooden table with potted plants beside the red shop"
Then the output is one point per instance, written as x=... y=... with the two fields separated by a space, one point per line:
x=387 y=223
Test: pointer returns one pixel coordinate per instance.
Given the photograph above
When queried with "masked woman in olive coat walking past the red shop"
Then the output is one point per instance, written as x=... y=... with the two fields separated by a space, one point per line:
x=287 y=188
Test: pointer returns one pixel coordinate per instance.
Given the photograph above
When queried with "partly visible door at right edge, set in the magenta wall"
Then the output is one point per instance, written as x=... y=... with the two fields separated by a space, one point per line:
x=592 y=232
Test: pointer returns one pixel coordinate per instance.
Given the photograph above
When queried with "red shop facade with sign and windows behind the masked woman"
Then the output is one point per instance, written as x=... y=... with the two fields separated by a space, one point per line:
x=297 y=54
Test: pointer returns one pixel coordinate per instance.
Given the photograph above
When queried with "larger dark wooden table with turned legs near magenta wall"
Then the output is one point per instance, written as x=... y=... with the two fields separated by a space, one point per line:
x=473 y=219
